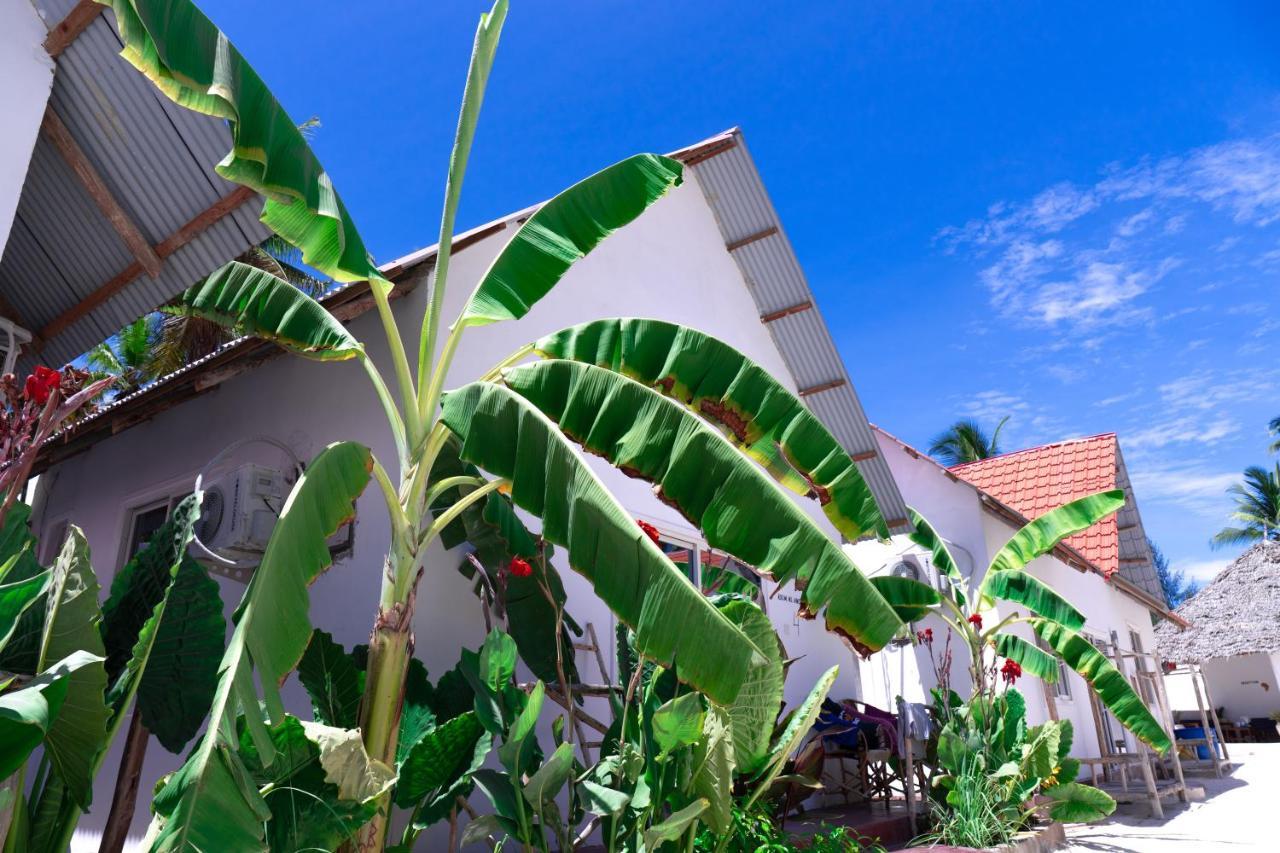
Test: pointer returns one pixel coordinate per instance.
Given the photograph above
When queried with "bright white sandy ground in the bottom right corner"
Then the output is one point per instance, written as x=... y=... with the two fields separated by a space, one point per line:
x=1241 y=813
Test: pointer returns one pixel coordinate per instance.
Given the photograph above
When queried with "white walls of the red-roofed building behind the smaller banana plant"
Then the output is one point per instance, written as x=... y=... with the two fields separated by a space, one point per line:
x=975 y=536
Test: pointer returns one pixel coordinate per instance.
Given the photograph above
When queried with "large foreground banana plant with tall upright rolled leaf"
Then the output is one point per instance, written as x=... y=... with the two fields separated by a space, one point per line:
x=720 y=440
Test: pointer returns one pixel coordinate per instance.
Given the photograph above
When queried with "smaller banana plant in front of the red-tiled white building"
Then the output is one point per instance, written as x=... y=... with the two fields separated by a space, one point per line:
x=1054 y=619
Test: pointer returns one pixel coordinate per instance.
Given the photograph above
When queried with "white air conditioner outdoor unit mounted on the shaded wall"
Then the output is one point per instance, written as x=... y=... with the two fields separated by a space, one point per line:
x=240 y=510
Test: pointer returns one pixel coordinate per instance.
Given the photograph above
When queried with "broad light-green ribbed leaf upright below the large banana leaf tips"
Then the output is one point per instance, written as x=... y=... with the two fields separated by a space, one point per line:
x=756 y=709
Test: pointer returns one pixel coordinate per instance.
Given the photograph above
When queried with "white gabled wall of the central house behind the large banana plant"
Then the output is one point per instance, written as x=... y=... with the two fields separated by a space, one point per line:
x=670 y=264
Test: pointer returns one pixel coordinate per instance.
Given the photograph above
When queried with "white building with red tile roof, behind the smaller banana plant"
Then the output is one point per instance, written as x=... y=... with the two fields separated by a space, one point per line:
x=1105 y=572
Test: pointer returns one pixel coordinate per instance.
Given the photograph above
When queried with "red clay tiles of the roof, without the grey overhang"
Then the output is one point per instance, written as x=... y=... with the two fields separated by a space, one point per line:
x=1040 y=480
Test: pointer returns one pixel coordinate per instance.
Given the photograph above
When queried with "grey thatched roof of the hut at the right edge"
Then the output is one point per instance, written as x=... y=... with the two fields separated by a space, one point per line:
x=1238 y=614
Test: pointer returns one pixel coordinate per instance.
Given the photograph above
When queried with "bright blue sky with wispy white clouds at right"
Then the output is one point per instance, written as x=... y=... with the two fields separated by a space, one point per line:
x=1066 y=213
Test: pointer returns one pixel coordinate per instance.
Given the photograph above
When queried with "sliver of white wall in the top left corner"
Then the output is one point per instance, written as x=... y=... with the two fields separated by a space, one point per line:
x=26 y=80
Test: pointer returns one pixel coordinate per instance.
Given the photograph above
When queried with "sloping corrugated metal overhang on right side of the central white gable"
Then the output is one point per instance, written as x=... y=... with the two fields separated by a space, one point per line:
x=738 y=197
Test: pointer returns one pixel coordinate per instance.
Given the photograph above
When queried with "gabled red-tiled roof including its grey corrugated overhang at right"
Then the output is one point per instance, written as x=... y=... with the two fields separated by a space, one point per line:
x=1039 y=480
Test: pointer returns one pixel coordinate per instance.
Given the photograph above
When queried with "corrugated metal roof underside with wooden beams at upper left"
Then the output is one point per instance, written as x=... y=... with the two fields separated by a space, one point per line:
x=158 y=162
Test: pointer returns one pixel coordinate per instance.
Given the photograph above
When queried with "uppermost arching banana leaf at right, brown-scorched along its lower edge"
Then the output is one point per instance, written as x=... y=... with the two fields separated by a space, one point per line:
x=765 y=419
